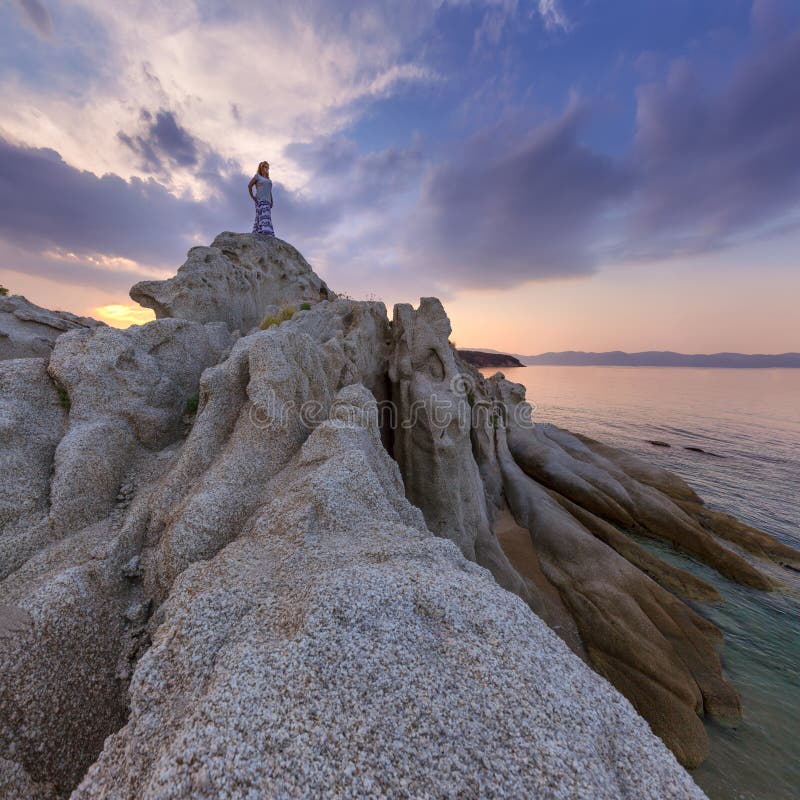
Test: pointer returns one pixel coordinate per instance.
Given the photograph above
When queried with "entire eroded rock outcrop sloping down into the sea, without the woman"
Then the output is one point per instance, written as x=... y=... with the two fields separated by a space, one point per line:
x=321 y=559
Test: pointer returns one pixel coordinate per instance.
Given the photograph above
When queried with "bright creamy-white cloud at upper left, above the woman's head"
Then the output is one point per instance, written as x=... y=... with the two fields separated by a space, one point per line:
x=245 y=78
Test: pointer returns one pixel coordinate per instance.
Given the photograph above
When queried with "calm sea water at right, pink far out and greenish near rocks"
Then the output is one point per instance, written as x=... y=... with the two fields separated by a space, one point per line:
x=751 y=420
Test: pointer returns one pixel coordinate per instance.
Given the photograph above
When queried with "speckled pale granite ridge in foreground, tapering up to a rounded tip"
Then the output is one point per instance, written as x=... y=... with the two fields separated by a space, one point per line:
x=339 y=649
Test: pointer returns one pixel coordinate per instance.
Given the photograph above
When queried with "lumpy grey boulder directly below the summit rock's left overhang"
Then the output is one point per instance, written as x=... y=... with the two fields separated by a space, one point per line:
x=127 y=391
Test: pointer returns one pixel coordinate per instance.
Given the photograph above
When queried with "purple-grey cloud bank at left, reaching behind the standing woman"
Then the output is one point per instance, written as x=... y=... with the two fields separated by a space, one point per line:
x=104 y=231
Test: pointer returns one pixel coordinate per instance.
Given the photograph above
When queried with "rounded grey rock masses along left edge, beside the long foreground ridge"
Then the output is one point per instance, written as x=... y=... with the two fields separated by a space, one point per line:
x=74 y=433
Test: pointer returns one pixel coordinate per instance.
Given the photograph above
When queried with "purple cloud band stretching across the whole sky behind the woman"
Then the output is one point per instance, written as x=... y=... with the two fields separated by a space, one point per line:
x=515 y=202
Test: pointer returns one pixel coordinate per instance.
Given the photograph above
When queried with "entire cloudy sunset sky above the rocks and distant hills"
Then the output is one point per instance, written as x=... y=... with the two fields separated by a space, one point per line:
x=563 y=174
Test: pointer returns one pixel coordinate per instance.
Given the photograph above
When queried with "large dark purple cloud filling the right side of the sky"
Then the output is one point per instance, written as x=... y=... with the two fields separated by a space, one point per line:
x=707 y=169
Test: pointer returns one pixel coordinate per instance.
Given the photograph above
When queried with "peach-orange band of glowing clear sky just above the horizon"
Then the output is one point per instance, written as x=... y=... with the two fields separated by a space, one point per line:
x=658 y=307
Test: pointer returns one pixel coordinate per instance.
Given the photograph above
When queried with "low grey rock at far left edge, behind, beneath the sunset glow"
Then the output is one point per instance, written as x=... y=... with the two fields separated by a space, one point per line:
x=28 y=331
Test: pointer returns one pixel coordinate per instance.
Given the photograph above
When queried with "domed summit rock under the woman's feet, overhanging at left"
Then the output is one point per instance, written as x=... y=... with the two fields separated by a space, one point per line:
x=234 y=281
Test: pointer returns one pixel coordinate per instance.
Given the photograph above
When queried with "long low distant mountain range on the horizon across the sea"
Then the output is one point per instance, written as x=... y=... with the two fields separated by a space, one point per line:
x=658 y=358
